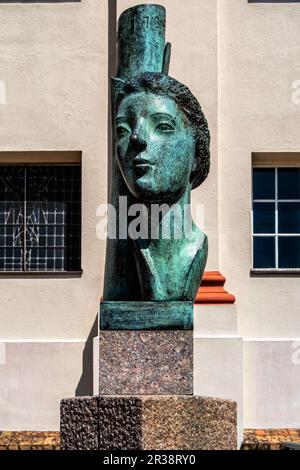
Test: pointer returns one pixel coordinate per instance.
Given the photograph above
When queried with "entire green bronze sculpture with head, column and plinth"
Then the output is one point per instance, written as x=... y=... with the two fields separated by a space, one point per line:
x=161 y=152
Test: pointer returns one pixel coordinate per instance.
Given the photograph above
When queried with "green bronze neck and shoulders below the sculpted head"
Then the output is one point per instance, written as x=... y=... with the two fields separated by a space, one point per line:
x=169 y=265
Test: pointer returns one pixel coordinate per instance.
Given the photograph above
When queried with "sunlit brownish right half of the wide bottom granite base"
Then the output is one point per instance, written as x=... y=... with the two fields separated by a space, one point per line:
x=189 y=423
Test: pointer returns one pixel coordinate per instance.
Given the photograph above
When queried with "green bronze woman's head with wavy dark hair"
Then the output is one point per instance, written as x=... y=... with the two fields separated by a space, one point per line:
x=162 y=138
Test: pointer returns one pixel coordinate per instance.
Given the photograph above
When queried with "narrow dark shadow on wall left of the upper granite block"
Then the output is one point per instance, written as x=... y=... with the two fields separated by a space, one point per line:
x=85 y=384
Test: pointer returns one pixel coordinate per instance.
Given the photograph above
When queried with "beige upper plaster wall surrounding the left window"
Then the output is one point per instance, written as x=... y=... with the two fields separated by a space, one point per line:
x=54 y=63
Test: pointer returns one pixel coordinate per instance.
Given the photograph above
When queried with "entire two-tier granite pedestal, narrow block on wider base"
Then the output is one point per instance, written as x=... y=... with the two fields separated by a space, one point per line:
x=145 y=399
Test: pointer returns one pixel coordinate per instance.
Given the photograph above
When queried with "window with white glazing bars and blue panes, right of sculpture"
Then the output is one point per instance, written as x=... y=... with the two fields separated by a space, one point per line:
x=276 y=218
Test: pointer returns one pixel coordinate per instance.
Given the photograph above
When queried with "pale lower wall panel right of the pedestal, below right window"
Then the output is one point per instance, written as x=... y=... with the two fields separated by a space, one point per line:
x=271 y=383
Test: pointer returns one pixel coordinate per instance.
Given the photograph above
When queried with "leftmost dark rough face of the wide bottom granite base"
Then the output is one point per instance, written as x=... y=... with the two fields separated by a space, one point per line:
x=79 y=419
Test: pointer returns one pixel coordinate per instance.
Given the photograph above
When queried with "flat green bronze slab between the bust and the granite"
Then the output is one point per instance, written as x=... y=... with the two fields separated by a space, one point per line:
x=146 y=316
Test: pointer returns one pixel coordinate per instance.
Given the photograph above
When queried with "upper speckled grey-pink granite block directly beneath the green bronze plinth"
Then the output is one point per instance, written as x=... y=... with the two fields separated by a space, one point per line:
x=146 y=362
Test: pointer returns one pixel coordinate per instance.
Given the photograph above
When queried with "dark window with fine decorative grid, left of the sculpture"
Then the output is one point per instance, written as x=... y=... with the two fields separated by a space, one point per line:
x=40 y=217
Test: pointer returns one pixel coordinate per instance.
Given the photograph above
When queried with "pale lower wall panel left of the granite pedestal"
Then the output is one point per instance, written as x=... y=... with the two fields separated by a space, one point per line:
x=34 y=377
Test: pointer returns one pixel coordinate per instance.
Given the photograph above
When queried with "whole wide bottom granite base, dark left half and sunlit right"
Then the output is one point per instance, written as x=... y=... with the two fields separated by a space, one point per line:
x=148 y=423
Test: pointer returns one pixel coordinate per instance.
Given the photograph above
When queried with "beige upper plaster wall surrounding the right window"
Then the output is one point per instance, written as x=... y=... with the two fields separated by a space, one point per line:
x=259 y=51
